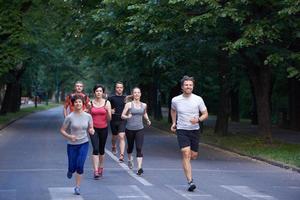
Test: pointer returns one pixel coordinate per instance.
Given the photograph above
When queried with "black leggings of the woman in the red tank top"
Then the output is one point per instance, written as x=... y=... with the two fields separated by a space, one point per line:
x=99 y=140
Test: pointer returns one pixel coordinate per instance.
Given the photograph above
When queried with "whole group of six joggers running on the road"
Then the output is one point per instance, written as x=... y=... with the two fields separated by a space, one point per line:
x=85 y=118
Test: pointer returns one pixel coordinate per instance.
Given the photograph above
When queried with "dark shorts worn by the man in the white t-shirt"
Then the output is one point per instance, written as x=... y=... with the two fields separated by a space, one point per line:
x=189 y=138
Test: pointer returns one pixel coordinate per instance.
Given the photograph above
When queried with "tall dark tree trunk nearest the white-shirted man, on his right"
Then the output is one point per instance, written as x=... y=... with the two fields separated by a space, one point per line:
x=221 y=126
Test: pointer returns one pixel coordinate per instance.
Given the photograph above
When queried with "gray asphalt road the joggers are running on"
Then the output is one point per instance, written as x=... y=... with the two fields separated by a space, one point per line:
x=33 y=165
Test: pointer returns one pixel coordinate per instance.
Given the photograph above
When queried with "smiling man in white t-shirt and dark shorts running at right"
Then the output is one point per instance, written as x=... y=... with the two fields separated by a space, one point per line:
x=185 y=114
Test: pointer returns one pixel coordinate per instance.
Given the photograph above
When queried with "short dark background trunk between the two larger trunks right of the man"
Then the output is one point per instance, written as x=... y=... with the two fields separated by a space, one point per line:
x=235 y=104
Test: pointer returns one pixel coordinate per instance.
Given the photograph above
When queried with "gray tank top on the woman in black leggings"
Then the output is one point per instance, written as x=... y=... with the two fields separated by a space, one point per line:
x=136 y=121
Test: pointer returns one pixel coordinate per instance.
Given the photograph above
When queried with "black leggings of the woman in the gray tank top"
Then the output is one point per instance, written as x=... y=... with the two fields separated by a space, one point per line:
x=136 y=136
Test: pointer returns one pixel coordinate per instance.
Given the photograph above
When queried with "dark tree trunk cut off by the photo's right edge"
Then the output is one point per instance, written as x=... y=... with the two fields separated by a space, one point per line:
x=294 y=103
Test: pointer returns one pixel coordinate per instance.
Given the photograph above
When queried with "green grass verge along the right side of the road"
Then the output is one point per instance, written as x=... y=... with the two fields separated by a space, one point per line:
x=286 y=153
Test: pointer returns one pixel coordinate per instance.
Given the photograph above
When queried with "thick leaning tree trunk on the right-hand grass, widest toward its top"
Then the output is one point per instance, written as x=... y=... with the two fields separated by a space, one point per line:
x=261 y=79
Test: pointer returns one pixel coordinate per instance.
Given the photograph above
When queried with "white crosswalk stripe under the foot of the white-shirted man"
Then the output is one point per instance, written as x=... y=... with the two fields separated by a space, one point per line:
x=182 y=191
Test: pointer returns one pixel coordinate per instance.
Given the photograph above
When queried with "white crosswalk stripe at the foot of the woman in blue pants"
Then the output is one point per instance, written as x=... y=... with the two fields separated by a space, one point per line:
x=63 y=193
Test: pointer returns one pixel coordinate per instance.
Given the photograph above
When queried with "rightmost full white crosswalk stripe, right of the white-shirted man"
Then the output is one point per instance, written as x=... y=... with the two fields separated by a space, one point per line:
x=247 y=192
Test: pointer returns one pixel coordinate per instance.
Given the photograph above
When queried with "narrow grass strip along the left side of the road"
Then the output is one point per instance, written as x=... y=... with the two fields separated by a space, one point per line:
x=4 y=119
